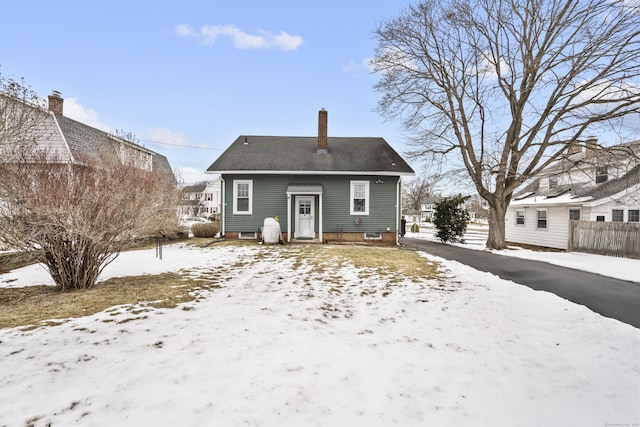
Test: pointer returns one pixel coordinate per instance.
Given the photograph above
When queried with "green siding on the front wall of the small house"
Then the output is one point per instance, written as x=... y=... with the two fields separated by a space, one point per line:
x=270 y=199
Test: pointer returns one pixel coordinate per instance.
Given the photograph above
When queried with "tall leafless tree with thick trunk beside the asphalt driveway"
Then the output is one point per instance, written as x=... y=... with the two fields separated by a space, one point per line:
x=509 y=85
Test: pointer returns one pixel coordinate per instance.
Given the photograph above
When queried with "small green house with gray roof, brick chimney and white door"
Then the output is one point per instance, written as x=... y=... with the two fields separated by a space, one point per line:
x=326 y=189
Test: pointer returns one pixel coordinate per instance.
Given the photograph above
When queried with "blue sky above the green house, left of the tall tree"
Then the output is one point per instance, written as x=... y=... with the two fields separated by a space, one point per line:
x=188 y=77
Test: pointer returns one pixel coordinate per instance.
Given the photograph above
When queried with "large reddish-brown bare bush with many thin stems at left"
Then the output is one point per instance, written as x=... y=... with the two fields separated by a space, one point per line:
x=77 y=219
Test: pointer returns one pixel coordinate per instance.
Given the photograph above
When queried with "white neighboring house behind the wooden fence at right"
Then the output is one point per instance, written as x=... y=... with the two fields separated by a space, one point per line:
x=595 y=184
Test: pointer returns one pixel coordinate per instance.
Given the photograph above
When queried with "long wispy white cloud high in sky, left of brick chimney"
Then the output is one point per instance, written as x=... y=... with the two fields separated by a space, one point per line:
x=209 y=34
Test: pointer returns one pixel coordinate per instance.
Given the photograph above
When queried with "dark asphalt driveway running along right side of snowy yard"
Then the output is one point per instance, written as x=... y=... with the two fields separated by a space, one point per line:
x=618 y=299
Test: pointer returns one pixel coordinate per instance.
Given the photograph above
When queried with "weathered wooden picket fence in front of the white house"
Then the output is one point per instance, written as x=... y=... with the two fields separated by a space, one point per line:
x=621 y=239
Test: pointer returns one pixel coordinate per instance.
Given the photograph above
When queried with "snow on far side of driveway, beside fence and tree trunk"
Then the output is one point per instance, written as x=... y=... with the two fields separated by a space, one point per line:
x=476 y=238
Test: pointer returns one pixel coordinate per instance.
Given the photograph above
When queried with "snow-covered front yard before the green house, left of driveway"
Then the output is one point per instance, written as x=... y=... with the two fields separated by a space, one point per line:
x=287 y=340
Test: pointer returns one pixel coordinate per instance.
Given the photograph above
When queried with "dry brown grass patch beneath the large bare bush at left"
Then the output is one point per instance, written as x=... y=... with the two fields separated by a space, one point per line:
x=32 y=305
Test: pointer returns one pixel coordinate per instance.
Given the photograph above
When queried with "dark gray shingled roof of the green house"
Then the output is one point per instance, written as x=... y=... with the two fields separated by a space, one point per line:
x=290 y=154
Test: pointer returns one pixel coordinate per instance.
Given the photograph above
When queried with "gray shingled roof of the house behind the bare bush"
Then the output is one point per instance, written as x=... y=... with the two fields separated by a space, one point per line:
x=87 y=144
